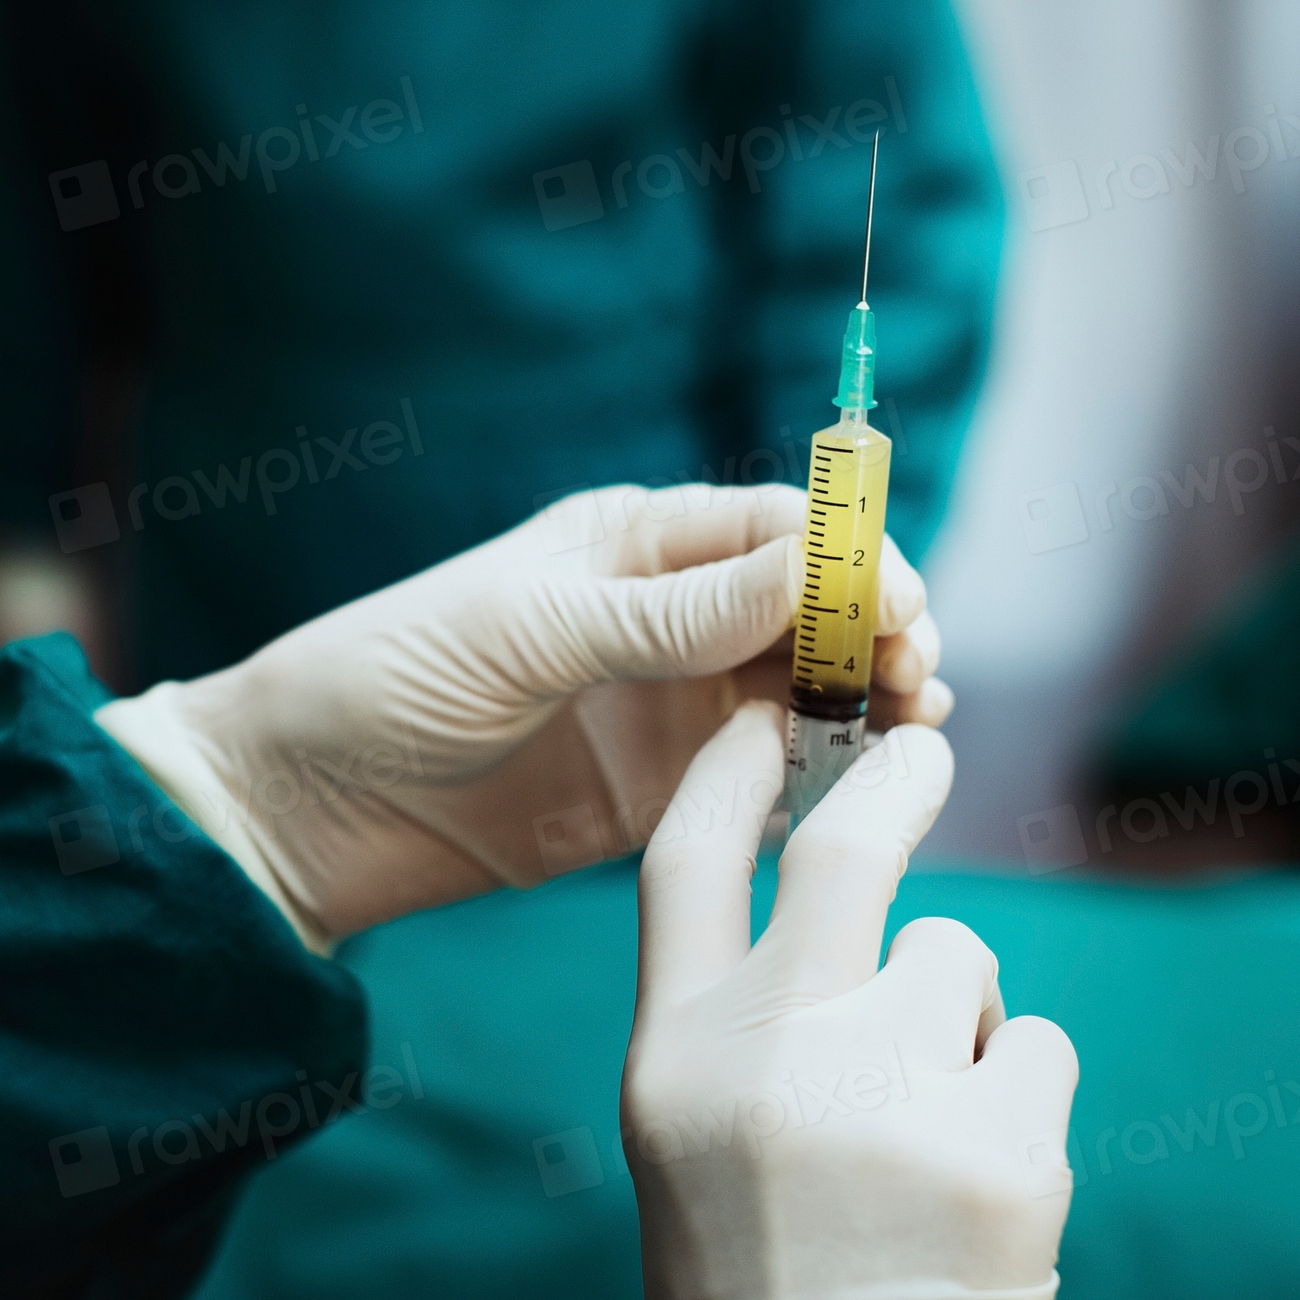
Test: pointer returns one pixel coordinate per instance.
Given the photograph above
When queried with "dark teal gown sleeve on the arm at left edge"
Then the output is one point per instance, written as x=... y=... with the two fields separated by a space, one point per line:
x=164 y=1032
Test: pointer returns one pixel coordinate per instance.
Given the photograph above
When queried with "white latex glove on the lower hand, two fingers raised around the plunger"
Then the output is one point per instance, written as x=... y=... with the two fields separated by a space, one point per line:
x=799 y=1124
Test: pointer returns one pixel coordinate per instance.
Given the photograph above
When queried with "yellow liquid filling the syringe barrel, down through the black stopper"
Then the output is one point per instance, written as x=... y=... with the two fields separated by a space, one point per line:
x=837 y=622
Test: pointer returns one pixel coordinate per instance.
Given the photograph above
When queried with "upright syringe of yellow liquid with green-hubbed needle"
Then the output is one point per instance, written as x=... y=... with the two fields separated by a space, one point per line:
x=837 y=621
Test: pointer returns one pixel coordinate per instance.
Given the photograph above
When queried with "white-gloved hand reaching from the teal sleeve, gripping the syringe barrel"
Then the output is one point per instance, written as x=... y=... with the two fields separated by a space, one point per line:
x=431 y=742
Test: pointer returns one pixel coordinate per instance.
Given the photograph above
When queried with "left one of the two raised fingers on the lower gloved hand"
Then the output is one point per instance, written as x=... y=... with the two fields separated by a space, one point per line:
x=694 y=891
